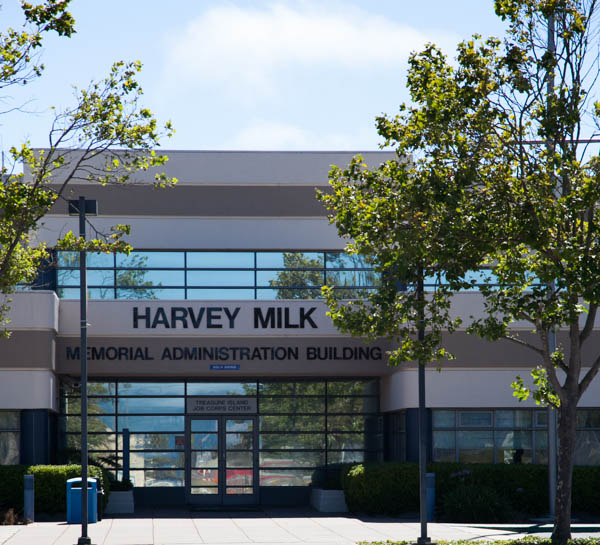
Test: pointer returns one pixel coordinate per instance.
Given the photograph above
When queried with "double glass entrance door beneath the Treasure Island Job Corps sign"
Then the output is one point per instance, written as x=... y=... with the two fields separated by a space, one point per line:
x=221 y=460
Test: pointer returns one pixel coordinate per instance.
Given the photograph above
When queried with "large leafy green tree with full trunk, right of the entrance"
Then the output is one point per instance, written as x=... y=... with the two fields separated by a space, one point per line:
x=498 y=177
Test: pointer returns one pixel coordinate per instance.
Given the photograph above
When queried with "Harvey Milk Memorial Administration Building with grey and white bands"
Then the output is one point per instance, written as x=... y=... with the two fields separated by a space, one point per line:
x=209 y=343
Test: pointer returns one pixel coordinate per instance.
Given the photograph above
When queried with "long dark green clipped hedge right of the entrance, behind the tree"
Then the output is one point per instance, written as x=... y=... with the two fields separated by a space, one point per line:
x=392 y=488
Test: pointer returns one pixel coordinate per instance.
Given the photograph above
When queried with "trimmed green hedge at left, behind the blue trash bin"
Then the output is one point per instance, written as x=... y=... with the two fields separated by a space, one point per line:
x=50 y=485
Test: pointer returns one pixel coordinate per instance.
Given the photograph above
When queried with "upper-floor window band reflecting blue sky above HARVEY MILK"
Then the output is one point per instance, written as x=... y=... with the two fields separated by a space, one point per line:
x=215 y=275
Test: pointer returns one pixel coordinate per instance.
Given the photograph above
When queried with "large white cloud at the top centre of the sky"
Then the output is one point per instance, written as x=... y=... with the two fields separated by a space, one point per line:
x=243 y=51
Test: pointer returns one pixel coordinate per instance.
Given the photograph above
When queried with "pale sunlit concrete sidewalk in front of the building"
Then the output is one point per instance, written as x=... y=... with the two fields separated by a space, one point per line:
x=170 y=527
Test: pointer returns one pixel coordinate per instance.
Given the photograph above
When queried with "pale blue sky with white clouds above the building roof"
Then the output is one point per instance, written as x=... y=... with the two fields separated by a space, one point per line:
x=253 y=74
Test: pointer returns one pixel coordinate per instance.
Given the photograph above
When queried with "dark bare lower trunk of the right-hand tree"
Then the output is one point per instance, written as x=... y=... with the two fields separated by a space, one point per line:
x=566 y=448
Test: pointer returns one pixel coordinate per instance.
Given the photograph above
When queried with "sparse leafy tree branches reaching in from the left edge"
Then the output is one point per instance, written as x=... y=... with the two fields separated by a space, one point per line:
x=106 y=137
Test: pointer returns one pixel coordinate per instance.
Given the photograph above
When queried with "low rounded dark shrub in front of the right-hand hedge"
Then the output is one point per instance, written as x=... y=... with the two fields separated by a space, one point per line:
x=474 y=503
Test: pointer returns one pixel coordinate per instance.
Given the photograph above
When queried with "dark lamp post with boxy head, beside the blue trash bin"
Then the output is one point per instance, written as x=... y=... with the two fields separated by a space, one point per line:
x=81 y=207
